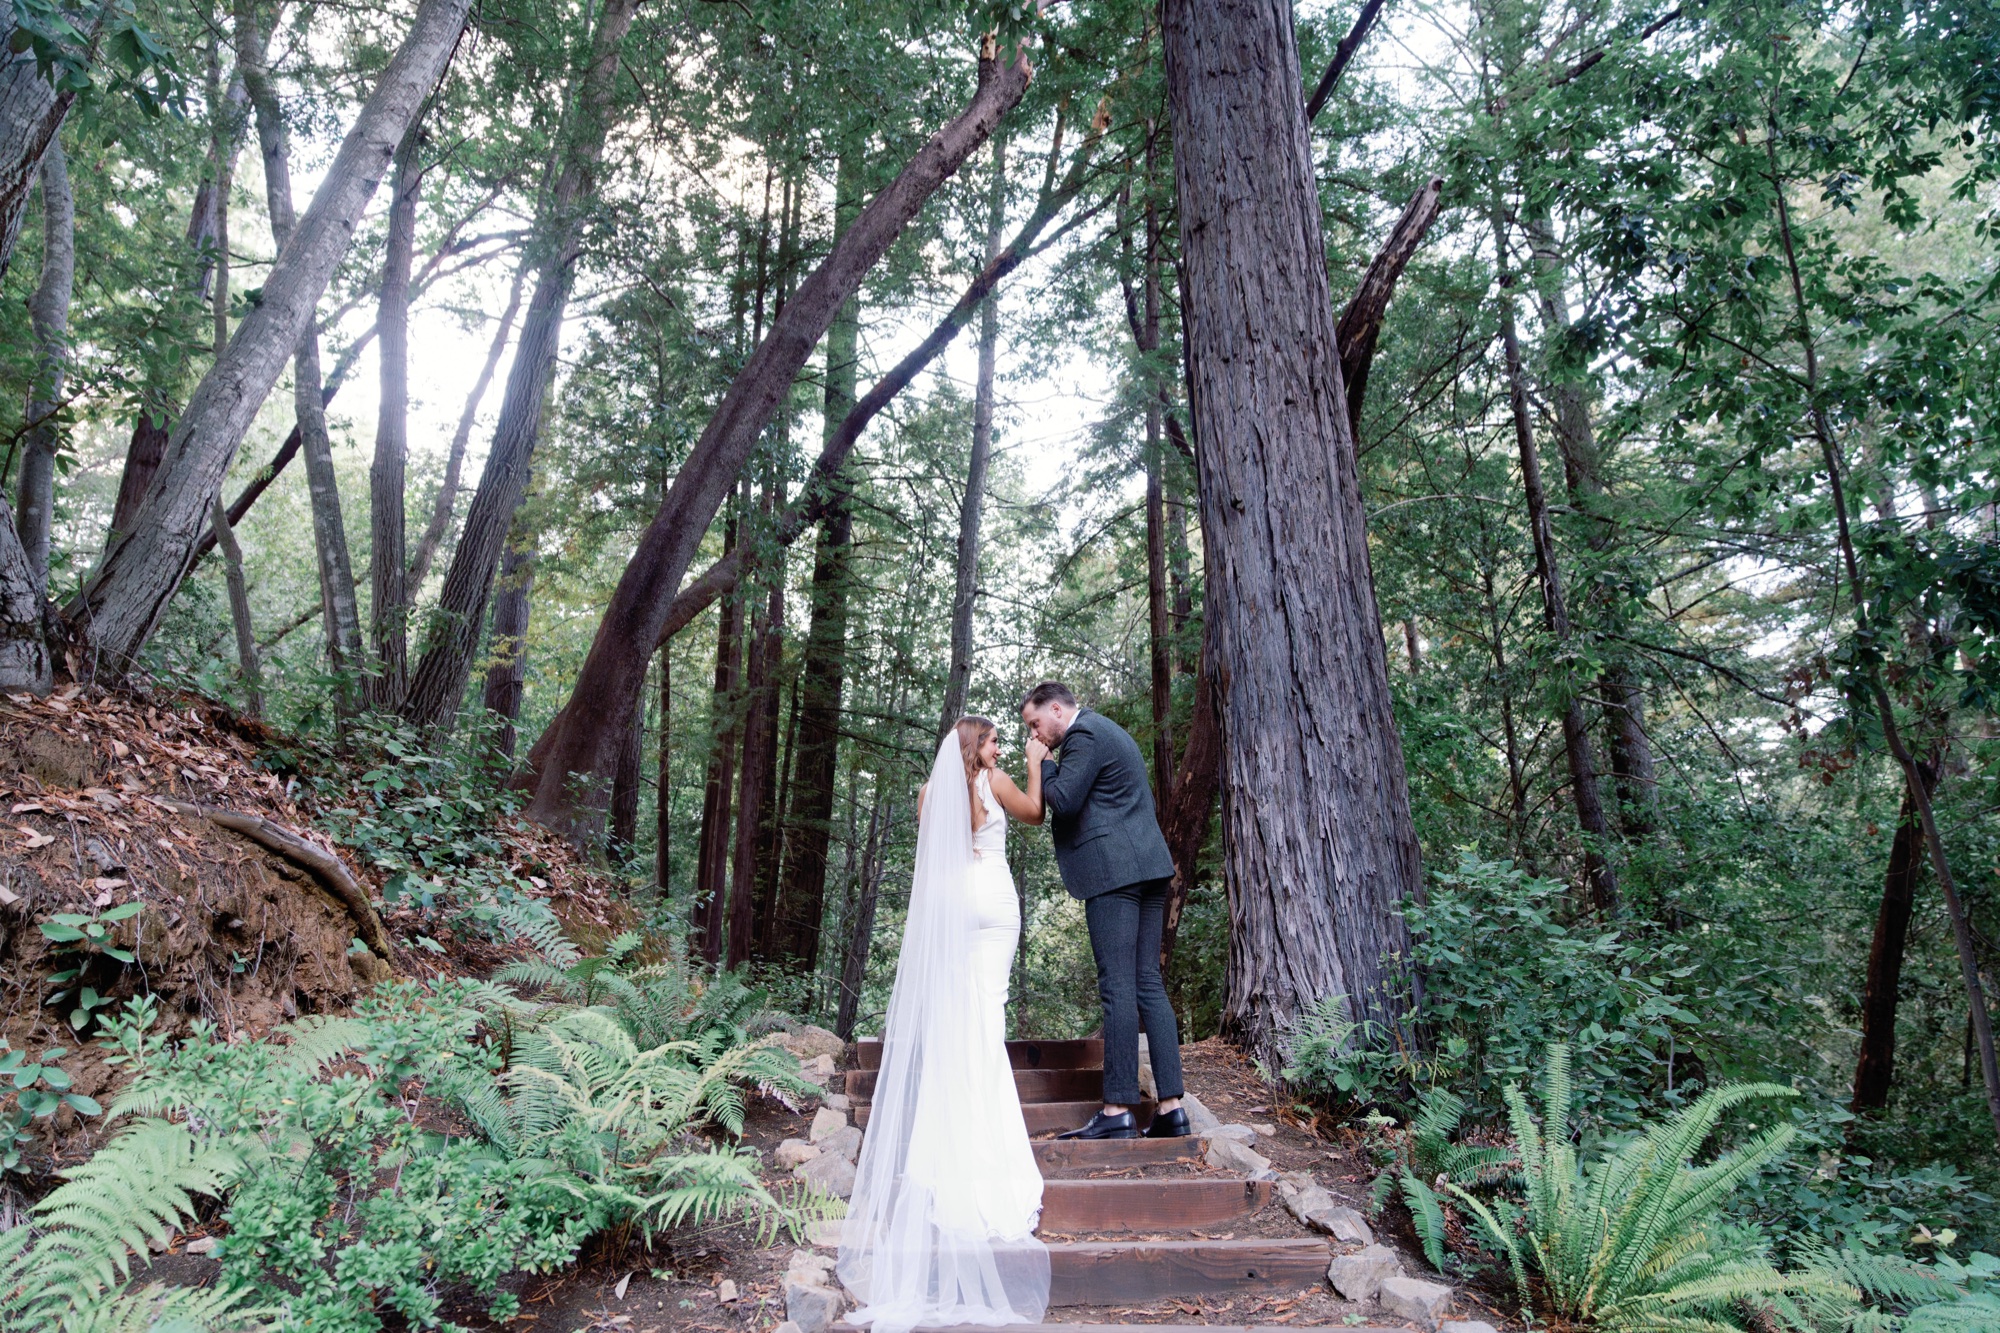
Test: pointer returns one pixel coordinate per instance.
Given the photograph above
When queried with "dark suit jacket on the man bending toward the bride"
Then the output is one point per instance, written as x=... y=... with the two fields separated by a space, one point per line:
x=1101 y=810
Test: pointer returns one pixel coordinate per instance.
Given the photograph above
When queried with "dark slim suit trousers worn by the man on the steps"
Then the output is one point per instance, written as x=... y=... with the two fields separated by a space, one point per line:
x=1125 y=936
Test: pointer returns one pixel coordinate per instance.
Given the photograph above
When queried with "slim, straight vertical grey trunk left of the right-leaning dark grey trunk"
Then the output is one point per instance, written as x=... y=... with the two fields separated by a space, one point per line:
x=387 y=559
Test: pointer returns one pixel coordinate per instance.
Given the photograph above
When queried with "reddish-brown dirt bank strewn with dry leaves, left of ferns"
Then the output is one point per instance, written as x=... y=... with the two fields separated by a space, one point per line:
x=165 y=862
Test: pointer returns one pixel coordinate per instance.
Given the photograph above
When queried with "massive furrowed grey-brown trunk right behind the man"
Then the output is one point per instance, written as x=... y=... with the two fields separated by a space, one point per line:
x=1317 y=810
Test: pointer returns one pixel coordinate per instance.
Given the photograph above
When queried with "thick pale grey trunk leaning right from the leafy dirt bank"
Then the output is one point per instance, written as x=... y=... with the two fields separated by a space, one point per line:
x=123 y=601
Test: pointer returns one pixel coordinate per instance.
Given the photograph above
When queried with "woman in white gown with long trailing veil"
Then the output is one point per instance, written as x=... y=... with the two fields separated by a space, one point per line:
x=947 y=1192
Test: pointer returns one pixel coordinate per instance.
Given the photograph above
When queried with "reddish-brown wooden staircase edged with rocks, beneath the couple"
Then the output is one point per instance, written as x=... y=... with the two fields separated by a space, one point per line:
x=1127 y=1216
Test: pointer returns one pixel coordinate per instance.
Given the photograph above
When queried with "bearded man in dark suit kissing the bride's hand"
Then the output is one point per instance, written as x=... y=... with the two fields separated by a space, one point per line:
x=1115 y=860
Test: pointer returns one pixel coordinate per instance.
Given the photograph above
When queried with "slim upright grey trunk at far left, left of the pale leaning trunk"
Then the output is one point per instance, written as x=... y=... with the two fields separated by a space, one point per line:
x=49 y=317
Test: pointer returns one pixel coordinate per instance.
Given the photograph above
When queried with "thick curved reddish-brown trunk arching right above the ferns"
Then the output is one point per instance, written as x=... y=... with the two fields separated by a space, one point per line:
x=615 y=670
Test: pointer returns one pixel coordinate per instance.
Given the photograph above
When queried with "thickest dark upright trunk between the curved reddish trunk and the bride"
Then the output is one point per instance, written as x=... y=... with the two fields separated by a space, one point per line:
x=823 y=672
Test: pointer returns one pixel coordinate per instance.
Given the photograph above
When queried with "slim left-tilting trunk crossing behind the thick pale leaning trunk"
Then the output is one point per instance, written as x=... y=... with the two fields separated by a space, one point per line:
x=329 y=527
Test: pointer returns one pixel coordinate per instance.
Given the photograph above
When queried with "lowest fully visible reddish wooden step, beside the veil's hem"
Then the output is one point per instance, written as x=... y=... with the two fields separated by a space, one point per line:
x=1143 y=1272
